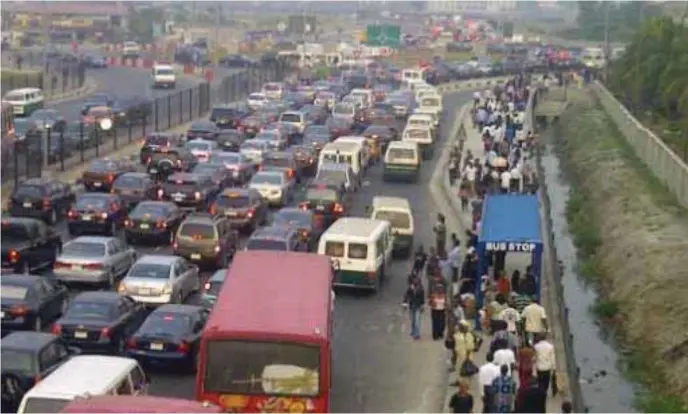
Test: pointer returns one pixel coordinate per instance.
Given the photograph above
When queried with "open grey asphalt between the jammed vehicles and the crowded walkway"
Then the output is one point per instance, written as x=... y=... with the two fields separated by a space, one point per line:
x=377 y=366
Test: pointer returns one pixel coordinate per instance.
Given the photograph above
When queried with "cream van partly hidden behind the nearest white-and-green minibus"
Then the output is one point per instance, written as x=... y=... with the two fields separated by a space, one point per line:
x=396 y=210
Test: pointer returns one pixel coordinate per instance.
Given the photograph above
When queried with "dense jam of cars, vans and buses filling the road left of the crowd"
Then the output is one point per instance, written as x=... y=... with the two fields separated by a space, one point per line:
x=160 y=261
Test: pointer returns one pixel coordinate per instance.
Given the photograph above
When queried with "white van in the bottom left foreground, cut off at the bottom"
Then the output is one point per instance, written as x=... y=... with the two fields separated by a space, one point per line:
x=85 y=375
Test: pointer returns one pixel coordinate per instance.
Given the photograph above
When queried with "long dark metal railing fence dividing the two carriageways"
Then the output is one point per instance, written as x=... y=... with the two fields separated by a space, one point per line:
x=56 y=151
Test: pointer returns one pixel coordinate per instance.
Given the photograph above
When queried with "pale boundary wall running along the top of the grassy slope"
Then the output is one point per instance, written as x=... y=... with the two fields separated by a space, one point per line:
x=668 y=167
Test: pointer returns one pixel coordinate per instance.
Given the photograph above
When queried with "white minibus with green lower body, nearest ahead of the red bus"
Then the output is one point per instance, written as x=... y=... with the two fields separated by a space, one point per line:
x=360 y=250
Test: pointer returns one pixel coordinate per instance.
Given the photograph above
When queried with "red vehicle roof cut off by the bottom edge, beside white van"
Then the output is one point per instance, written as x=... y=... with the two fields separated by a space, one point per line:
x=137 y=404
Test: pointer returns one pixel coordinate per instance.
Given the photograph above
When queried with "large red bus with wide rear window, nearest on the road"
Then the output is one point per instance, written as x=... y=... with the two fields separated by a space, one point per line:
x=267 y=344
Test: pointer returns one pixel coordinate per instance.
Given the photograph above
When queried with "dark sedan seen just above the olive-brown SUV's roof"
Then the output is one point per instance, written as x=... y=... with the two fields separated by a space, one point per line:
x=189 y=191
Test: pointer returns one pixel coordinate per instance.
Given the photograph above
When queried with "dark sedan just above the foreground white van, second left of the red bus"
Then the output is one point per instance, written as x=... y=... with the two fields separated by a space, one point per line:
x=99 y=321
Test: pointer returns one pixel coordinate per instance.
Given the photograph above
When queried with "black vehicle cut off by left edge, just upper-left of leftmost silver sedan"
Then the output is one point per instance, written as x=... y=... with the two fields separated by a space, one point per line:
x=28 y=244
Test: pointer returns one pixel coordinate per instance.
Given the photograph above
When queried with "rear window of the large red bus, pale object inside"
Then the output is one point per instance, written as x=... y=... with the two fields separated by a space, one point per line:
x=265 y=368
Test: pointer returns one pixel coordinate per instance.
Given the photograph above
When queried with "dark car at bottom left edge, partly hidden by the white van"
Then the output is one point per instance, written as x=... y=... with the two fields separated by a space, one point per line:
x=32 y=356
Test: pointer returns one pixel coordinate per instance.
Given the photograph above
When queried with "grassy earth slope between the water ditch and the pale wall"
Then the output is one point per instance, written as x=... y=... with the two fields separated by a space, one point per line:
x=631 y=238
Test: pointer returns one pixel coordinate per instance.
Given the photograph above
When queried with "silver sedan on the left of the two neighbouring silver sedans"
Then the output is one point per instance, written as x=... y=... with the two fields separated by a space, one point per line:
x=94 y=259
